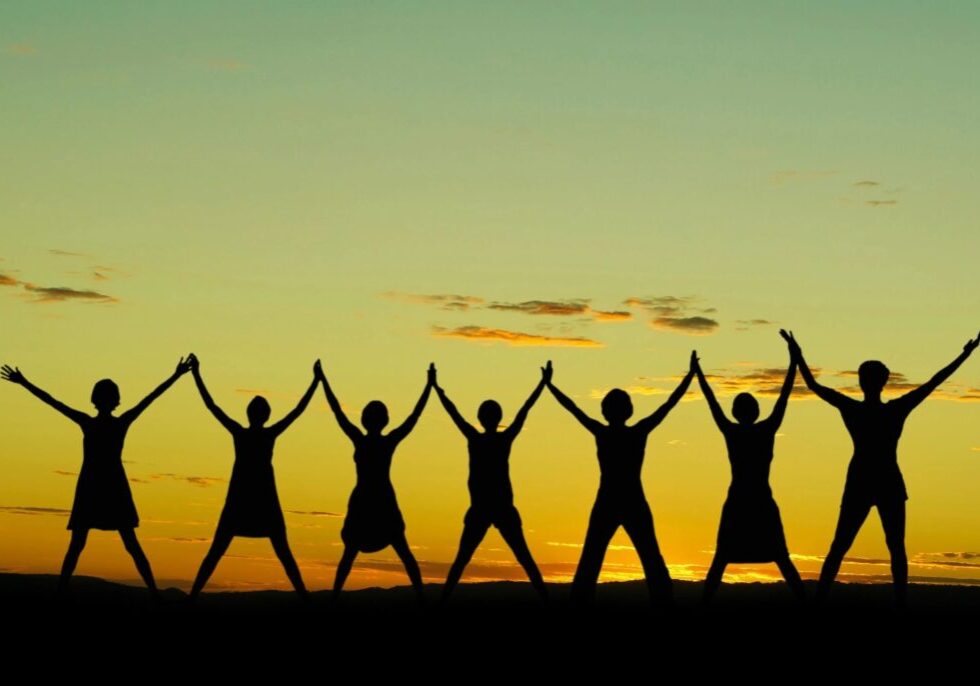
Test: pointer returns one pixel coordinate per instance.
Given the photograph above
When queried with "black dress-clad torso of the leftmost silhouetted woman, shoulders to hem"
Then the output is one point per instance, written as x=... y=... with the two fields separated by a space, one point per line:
x=103 y=499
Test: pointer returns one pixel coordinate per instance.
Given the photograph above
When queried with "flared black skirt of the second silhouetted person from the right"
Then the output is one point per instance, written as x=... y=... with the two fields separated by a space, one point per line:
x=751 y=530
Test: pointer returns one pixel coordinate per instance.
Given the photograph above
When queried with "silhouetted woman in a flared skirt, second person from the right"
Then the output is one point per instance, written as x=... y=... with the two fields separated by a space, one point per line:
x=750 y=530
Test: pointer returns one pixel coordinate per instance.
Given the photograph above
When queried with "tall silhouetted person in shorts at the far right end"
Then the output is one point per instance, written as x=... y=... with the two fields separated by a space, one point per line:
x=873 y=476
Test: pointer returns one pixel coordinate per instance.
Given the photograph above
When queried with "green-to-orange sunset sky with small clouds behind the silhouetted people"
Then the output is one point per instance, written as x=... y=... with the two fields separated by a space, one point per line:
x=265 y=184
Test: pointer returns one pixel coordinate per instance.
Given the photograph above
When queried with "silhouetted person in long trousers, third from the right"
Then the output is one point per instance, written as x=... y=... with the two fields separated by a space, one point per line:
x=620 y=500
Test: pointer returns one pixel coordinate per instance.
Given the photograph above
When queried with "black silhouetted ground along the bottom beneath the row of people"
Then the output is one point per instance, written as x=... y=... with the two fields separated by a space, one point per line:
x=490 y=630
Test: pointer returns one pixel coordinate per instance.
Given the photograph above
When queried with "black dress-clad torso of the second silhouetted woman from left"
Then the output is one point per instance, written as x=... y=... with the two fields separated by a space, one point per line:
x=252 y=507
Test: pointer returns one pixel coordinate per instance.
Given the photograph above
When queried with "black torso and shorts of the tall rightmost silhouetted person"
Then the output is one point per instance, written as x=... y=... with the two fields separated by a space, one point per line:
x=875 y=429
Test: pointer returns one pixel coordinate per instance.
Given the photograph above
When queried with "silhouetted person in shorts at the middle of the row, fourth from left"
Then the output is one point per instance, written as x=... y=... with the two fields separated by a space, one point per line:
x=491 y=496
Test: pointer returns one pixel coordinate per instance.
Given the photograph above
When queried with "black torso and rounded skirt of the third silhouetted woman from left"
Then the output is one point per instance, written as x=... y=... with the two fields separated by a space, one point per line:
x=373 y=518
